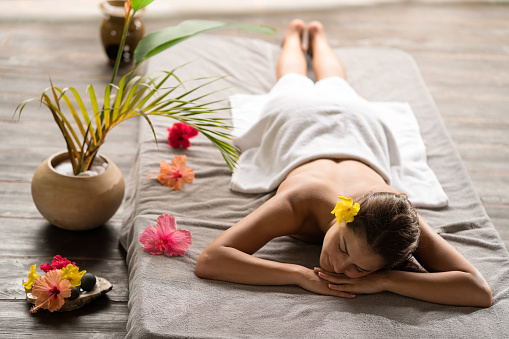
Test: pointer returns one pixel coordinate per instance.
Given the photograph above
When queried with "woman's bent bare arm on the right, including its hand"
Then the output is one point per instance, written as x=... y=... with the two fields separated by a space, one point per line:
x=451 y=280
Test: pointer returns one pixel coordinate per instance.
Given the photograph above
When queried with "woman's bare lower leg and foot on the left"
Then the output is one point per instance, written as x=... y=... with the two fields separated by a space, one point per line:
x=292 y=59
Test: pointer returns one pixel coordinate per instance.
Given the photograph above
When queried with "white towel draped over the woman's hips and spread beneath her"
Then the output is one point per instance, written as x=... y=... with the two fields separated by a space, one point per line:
x=299 y=121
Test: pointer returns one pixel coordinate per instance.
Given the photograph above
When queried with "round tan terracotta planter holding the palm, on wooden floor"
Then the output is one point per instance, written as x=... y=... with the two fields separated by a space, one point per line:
x=75 y=202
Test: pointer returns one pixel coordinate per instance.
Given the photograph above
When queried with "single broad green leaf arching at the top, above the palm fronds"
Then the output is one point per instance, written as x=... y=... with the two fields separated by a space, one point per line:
x=159 y=41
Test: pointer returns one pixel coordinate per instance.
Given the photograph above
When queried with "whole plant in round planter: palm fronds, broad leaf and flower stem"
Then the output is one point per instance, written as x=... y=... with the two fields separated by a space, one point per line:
x=85 y=129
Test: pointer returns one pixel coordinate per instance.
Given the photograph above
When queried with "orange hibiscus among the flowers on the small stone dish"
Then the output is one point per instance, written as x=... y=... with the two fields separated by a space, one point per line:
x=50 y=291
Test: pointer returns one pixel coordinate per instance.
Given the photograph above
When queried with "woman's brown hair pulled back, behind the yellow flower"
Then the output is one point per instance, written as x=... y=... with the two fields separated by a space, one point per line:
x=390 y=225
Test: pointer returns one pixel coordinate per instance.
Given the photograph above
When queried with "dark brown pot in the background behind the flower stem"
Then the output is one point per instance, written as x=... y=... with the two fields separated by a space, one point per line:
x=112 y=27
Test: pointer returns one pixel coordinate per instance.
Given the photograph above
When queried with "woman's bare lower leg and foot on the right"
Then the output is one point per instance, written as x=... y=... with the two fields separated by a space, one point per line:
x=325 y=62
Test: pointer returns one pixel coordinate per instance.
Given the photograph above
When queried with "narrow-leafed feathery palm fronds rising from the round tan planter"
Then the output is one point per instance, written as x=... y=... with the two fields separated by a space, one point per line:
x=85 y=130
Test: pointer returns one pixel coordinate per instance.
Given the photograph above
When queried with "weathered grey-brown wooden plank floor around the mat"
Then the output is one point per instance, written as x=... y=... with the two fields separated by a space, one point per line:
x=462 y=50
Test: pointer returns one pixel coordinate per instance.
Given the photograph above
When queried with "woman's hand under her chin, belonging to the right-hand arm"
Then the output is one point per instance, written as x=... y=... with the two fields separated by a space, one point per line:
x=367 y=284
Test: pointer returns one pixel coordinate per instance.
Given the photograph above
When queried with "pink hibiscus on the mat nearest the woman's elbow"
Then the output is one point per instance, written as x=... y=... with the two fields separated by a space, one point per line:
x=165 y=238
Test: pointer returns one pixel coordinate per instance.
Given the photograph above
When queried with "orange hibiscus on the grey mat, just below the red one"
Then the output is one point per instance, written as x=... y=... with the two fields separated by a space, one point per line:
x=176 y=174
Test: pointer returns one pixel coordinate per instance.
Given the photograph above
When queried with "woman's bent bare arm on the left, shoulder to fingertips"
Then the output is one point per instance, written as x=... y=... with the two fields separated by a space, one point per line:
x=229 y=257
